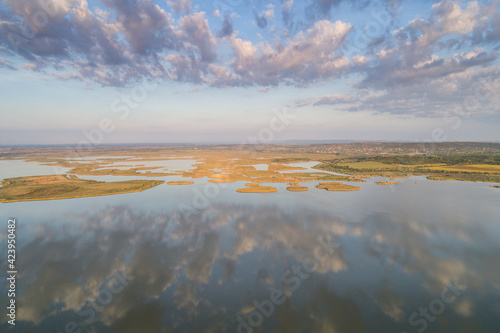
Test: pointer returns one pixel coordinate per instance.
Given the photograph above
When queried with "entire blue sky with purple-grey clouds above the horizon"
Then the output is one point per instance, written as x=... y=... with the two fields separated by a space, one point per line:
x=238 y=71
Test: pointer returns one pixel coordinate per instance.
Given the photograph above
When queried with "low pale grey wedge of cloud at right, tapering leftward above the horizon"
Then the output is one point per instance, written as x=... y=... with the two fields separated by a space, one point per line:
x=467 y=93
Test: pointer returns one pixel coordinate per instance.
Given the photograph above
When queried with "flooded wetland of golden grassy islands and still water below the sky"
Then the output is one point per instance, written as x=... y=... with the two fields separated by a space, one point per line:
x=343 y=255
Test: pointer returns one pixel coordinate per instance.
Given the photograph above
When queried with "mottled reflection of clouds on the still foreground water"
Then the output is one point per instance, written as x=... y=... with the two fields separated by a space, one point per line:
x=198 y=274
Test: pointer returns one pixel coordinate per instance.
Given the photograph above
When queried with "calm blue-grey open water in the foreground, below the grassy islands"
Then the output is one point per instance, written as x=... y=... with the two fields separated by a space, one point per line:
x=419 y=256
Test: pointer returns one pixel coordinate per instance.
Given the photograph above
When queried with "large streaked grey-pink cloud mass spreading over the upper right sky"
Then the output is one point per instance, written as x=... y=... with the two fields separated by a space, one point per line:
x=417 y=71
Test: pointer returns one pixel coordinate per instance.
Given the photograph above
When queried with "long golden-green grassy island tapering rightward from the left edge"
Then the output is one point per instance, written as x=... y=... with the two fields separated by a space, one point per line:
x=66 y=187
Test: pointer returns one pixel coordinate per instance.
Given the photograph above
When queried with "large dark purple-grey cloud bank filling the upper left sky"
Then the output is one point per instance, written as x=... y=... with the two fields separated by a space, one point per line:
x=93 y=47
